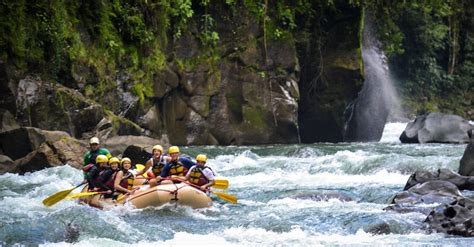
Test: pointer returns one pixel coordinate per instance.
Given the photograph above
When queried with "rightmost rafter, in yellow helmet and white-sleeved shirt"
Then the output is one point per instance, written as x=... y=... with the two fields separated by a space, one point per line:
x=200 y=174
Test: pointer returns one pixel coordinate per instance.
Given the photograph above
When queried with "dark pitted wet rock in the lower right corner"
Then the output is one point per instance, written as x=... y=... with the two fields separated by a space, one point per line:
x=455 y=218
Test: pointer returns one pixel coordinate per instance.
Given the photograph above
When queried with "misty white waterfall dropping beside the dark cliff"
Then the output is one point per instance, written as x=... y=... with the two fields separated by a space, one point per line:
x=378 y=101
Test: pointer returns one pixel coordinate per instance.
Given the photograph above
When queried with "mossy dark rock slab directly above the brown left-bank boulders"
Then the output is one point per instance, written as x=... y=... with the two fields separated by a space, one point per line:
x=50 y=105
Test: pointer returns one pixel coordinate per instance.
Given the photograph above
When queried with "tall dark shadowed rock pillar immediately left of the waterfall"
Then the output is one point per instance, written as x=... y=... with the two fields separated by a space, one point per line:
x=329 y=85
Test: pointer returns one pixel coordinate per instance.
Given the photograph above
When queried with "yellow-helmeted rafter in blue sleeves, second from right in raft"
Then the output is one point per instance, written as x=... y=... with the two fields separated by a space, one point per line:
x=178 y=166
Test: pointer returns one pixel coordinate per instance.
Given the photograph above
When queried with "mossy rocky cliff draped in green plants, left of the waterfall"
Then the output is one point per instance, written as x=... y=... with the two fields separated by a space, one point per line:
x=190 y=74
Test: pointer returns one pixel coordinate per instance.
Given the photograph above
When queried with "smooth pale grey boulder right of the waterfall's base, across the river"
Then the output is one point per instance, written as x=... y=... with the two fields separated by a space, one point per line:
x=437 y=128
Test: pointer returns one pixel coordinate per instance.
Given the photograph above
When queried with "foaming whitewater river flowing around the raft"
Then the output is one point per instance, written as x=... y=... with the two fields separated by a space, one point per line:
x=289 y=195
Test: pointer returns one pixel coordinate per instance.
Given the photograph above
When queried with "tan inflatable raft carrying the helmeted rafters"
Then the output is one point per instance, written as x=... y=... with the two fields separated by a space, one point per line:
x=180 y=194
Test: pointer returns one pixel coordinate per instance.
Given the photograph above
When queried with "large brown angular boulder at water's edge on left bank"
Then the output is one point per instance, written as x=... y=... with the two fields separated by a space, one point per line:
x=34 y=149
